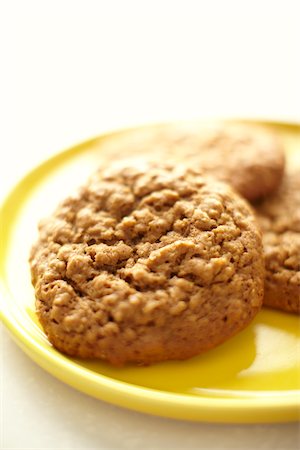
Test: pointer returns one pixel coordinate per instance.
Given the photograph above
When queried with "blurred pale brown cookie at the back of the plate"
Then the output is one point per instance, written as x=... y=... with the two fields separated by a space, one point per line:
x=249 y=157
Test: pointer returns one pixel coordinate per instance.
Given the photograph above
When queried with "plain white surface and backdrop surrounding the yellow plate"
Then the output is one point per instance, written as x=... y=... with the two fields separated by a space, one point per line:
x=71 y=69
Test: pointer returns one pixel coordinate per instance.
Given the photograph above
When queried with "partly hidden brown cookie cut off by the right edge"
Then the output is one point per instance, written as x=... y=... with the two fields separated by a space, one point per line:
x=279 y=217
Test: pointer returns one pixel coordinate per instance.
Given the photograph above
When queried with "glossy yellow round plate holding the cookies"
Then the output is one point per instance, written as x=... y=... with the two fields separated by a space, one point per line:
x=253 y=377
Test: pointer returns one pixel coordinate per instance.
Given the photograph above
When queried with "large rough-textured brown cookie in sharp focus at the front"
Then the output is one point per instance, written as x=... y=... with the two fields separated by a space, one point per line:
x=147 y=264
